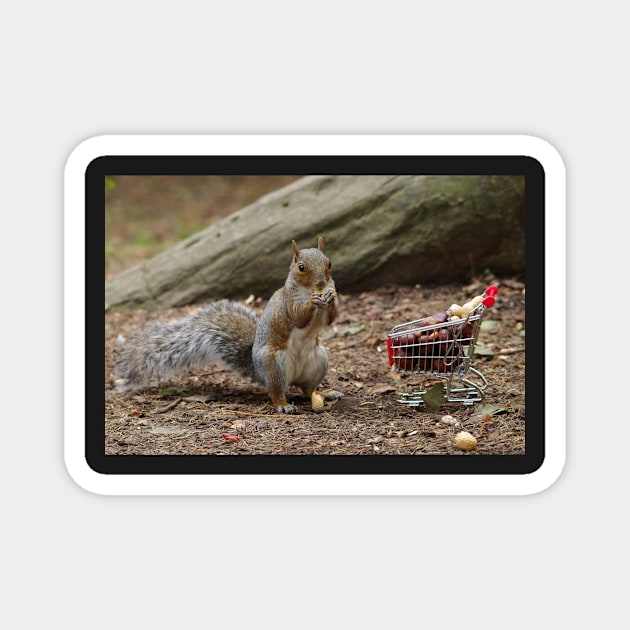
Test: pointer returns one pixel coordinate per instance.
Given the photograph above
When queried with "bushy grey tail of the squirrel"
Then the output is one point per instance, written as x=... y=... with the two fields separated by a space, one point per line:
x=222 y=331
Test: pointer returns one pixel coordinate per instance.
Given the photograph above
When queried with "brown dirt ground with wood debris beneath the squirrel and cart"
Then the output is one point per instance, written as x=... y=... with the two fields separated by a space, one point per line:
x=213 y=411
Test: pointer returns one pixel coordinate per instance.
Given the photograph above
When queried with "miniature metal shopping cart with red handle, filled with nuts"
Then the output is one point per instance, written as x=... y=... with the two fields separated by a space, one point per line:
x=443 y=349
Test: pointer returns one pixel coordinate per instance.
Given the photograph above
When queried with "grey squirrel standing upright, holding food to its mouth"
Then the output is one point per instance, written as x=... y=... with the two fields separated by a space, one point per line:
x=279 y=349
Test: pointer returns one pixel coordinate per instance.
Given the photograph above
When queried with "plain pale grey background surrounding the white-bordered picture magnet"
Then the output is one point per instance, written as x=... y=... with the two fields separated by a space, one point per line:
x=75 y=70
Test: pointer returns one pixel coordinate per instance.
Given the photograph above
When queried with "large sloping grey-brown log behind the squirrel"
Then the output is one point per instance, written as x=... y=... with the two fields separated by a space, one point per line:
x=378 y=230
